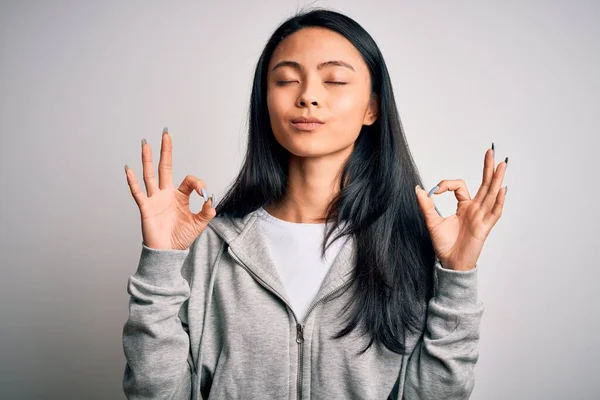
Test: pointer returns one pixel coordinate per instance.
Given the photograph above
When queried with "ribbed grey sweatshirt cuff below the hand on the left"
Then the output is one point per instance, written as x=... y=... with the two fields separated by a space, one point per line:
x=160 y=267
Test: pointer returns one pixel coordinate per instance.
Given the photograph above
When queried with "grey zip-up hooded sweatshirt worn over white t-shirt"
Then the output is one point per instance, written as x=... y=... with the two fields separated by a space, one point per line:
x=213 y=322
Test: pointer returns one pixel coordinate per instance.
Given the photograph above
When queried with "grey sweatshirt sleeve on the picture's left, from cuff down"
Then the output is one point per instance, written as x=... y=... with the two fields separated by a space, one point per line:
x=155 y=341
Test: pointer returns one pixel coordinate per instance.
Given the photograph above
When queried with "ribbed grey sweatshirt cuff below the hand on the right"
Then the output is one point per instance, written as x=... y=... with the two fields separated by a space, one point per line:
x=456 y=289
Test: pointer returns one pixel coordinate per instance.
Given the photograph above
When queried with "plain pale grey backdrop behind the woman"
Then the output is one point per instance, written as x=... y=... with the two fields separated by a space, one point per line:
x=81 y=83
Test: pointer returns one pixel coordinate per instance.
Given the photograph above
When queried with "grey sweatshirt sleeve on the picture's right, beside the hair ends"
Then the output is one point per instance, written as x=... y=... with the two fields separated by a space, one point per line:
x=441 y=365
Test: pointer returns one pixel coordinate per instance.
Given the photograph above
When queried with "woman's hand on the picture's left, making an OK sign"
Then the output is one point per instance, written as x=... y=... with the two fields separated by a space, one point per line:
x=167 y=222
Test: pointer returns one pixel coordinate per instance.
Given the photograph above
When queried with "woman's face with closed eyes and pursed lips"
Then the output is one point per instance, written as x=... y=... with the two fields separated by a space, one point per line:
x=318 y=73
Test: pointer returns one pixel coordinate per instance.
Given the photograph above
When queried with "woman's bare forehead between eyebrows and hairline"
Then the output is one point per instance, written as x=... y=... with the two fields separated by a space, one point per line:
x=311 y=46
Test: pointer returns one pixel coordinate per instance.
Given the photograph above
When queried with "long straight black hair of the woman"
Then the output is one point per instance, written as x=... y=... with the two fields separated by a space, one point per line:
x=393 y=277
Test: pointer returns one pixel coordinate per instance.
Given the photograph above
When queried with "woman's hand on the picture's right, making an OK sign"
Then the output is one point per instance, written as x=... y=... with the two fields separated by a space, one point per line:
x=459 y=238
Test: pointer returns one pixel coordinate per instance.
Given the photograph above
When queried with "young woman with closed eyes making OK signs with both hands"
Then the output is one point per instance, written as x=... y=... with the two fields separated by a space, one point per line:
x=325 y=272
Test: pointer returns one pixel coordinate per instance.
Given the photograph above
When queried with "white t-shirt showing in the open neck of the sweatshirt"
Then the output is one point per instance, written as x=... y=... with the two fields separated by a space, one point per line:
x=296 y=251
